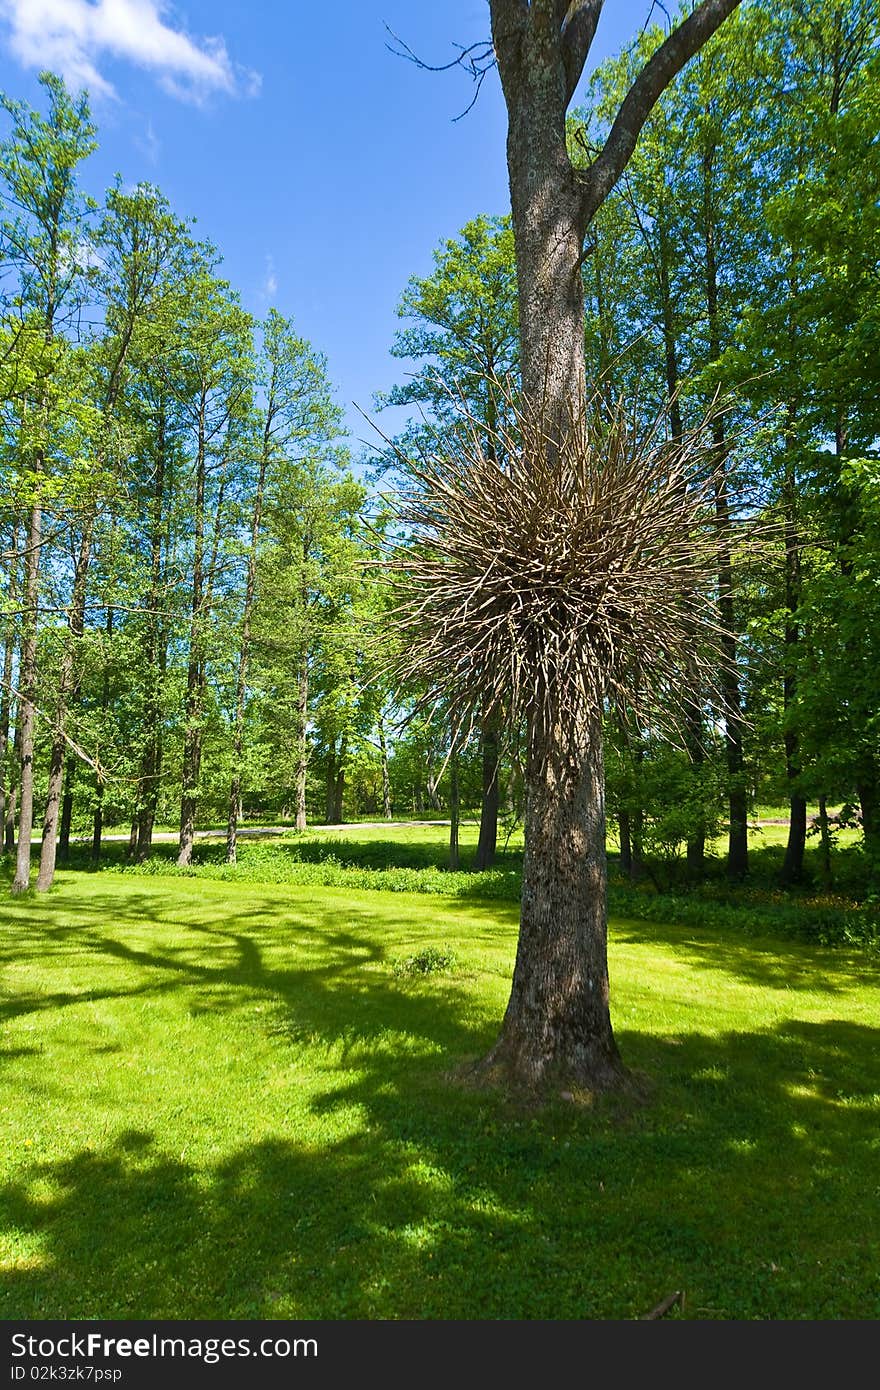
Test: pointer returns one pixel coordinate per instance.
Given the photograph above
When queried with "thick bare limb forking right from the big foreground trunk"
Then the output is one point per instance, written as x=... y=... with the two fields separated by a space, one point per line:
x=643 y=97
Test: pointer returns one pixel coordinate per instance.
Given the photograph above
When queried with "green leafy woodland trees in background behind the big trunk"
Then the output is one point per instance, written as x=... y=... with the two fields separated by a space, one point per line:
x=195 y=605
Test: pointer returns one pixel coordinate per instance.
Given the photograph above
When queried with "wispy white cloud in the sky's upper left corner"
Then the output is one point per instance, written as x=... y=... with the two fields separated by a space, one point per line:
x=72 y=37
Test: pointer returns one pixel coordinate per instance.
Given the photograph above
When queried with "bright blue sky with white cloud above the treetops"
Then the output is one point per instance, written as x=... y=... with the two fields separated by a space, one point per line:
x=325 y=169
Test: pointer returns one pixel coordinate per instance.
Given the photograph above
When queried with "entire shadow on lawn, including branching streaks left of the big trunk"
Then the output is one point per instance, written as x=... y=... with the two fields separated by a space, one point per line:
x=750 y=1181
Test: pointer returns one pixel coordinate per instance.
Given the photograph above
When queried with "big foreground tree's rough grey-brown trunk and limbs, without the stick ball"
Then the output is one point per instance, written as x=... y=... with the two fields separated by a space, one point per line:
x=558 y=1021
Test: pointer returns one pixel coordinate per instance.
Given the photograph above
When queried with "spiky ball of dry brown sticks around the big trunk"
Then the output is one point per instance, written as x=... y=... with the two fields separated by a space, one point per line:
x=547 y=571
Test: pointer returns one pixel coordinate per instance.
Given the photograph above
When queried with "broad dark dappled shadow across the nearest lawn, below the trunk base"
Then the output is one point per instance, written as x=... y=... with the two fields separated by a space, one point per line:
x=744 y=1195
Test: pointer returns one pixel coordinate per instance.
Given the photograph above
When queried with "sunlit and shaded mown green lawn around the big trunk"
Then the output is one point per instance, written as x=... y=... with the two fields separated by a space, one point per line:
x=220 y=1100
